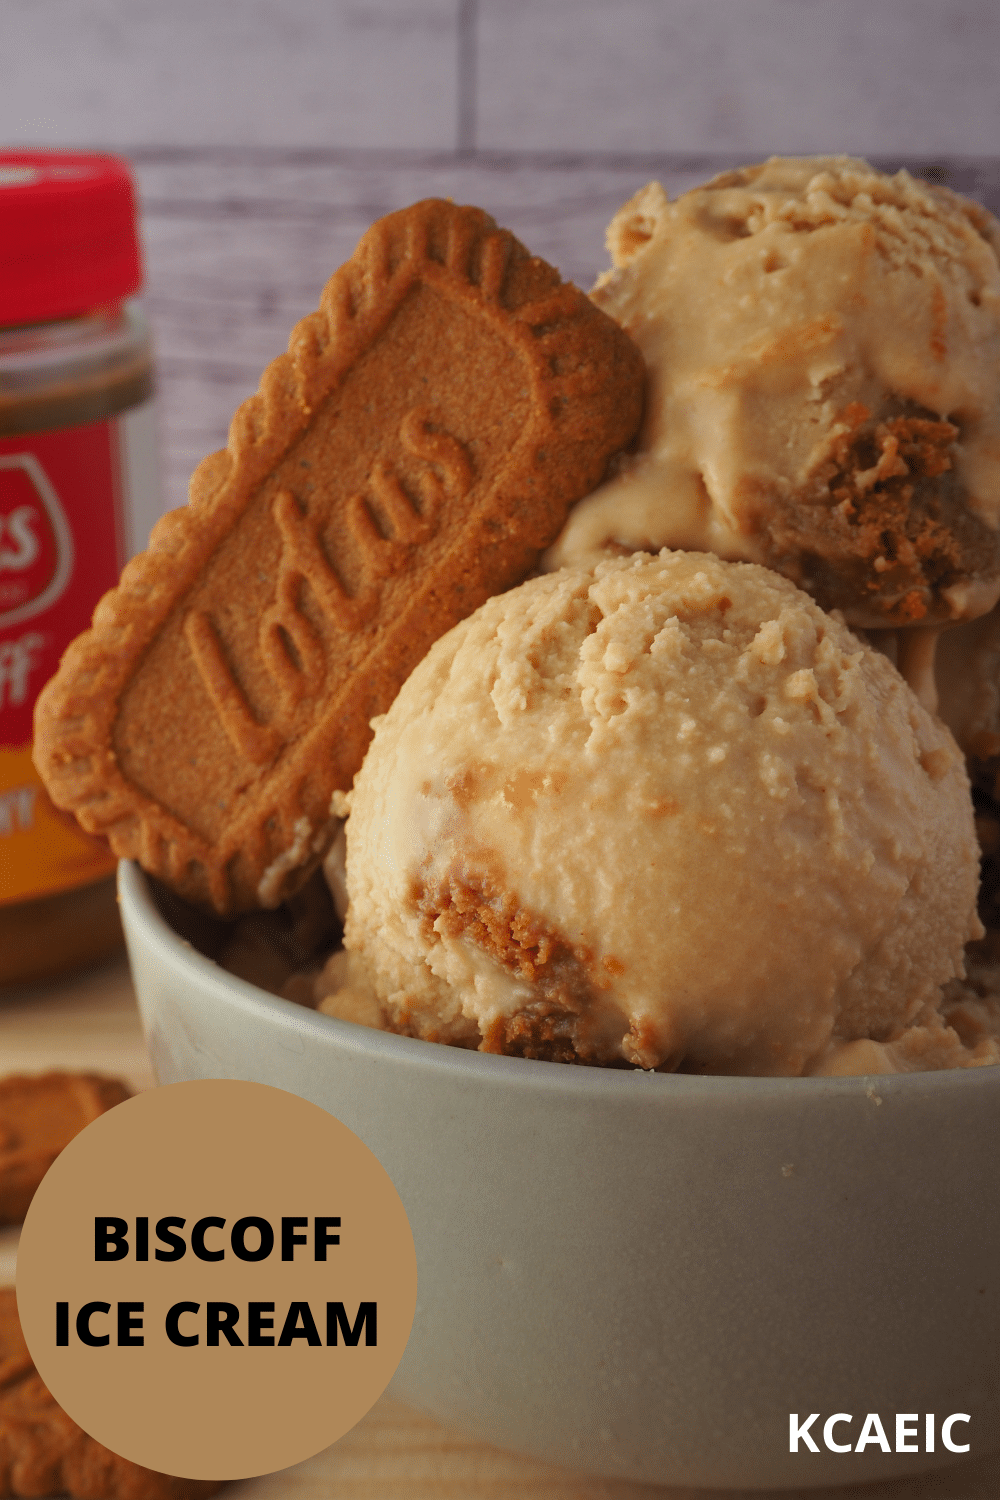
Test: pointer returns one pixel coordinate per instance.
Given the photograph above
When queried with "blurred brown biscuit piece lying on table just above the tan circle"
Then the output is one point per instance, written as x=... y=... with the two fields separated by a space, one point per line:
x=40 y=1117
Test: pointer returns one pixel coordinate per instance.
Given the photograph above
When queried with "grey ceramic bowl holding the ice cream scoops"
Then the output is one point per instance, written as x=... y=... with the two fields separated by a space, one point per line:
x=642 y=1276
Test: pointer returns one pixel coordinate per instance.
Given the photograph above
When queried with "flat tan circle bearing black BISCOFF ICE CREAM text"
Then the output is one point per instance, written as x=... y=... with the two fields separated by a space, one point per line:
x=221 y=1150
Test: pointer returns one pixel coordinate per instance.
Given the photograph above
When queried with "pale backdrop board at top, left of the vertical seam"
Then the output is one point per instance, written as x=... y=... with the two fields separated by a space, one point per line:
x=230 y=73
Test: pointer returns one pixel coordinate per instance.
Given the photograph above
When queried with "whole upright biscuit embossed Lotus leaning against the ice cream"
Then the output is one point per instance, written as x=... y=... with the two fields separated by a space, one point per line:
x=410 y=457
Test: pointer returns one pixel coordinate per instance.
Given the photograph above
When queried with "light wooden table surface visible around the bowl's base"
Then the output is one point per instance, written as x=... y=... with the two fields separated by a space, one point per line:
x=395 y=1454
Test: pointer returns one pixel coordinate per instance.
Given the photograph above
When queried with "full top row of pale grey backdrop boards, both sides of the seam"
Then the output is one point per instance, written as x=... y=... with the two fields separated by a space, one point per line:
x=582 y=76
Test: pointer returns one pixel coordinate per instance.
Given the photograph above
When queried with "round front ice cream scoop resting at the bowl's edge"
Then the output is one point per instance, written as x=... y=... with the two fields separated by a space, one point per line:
x=663 y=814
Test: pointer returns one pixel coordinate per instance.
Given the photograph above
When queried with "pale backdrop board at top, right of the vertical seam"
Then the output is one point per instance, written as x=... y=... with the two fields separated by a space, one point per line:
x=740 y=76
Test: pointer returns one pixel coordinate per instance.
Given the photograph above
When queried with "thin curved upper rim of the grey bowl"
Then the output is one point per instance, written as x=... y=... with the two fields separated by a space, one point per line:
x=436 y=1058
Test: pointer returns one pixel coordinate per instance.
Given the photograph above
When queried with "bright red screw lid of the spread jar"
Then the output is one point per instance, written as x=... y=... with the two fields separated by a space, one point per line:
x=68 y=236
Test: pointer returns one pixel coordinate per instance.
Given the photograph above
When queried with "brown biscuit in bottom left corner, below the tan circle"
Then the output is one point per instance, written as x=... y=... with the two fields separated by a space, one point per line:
x=43 y=1451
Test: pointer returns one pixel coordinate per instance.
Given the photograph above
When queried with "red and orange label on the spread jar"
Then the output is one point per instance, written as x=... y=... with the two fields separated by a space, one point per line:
x=64 y=512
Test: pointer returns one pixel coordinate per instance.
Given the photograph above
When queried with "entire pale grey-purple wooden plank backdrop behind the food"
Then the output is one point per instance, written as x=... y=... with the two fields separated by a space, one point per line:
x=268 y=134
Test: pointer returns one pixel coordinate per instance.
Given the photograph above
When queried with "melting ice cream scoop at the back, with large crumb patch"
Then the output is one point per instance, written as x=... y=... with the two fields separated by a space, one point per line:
x=824 y=350
